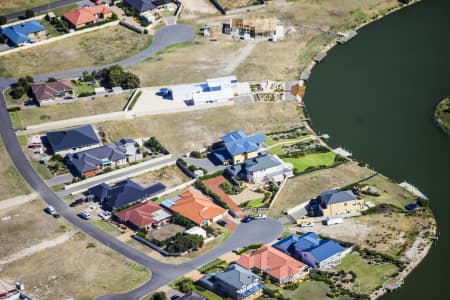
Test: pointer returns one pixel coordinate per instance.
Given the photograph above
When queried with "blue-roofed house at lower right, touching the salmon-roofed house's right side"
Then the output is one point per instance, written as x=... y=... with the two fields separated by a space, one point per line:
x=312 y=250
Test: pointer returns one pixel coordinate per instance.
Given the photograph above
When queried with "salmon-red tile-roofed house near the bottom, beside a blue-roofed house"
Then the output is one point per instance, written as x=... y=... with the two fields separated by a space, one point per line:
x=282 y=268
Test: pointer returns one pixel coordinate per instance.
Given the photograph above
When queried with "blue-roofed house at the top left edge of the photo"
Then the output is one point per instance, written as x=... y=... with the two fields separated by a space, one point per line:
x=24 y=33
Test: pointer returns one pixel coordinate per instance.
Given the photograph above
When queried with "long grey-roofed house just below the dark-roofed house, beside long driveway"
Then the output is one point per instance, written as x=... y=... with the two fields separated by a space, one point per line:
x=87 y=163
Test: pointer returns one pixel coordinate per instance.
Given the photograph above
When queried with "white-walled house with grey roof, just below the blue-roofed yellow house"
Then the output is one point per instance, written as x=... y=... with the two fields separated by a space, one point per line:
x=261 y=169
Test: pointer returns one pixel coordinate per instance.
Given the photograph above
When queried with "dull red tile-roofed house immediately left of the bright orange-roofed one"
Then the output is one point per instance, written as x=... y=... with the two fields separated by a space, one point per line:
x=143 y=214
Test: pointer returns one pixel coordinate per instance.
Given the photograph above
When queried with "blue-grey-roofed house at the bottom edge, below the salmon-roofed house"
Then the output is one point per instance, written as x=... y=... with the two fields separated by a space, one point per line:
x=235 y=282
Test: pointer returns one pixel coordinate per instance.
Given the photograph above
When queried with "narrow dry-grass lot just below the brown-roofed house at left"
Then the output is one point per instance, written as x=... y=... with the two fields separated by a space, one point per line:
x=99 y=105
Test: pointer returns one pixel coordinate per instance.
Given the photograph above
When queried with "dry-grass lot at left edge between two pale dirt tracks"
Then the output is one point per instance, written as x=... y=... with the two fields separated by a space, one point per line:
x=28 y=225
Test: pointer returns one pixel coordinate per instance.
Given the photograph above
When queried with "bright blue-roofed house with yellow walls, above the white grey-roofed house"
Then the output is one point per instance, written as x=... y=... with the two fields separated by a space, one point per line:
x=236 y=147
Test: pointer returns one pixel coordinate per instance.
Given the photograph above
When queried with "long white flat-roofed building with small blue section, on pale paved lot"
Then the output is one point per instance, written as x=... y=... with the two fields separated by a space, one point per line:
x=214 y=90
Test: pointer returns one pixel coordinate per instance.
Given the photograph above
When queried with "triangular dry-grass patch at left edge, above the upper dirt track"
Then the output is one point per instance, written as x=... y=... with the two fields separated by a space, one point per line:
x=11 y=183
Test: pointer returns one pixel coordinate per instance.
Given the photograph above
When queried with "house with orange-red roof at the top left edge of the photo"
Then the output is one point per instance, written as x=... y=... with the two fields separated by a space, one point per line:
x=84 y=16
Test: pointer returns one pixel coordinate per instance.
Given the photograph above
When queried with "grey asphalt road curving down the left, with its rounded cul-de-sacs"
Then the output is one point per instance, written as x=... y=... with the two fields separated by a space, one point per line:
x=261 y=231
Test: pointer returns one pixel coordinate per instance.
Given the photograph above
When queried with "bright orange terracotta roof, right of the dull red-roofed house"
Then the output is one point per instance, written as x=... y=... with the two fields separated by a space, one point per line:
x=197 y=207
